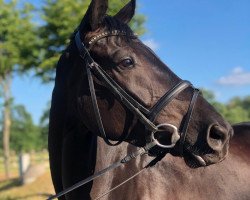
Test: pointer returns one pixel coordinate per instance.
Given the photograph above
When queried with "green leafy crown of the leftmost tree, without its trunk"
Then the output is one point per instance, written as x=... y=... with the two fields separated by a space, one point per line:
x=17 y=37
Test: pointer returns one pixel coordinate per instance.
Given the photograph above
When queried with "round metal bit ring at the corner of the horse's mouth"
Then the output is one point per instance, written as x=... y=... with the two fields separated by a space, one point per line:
x=174 y=138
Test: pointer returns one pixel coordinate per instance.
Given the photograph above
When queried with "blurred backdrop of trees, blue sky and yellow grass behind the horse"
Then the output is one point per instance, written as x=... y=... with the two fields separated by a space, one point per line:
x=206 y=42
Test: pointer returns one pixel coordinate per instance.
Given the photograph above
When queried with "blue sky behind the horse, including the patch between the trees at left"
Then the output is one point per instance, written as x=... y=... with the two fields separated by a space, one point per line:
x=204 y=41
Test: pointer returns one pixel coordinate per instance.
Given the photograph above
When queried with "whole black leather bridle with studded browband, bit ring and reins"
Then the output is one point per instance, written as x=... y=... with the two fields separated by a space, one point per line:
x=144 y=115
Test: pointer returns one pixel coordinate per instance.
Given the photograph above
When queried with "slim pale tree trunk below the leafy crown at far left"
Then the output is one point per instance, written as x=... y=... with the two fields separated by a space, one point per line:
x=6 y=84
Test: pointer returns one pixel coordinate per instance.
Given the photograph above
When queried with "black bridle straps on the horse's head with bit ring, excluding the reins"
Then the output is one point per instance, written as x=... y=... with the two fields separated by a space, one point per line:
x=146 y=116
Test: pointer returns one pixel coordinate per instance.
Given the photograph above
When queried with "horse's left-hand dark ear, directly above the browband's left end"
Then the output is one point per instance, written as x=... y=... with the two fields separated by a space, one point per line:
x=95 y=13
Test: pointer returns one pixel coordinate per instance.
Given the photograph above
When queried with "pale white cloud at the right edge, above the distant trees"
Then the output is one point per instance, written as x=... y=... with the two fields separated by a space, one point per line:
x=237 y=77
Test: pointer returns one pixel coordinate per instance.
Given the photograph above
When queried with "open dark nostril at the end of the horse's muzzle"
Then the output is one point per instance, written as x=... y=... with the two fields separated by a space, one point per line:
x=216 y=137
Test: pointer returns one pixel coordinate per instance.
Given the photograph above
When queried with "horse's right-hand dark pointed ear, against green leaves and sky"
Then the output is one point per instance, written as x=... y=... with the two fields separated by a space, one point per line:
x=127 y=12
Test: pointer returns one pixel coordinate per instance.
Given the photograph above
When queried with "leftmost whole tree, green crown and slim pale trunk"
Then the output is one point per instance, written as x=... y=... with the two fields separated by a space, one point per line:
x=17 y=44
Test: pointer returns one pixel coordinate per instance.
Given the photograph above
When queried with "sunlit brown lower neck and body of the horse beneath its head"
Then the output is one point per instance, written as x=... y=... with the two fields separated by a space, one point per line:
x=170 y=178
